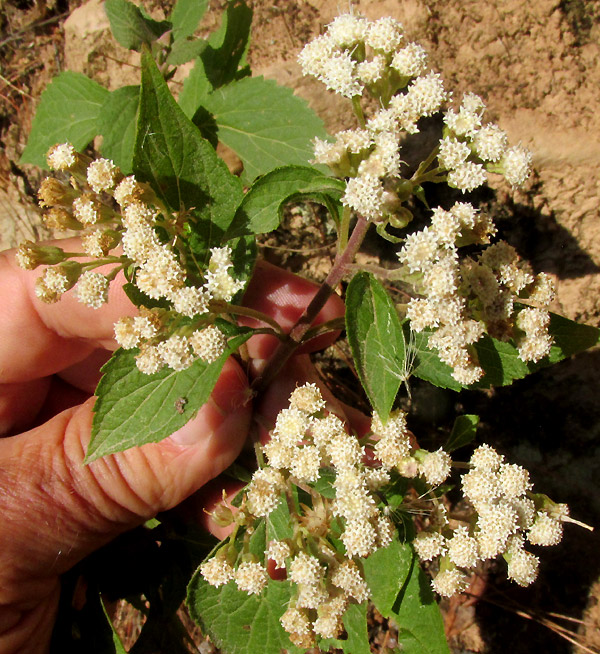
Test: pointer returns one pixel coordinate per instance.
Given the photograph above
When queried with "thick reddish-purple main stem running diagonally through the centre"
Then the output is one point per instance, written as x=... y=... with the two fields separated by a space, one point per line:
x=287 y=348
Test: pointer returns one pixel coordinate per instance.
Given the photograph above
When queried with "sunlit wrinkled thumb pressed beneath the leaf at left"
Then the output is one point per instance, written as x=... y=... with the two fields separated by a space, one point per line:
x=60 y=510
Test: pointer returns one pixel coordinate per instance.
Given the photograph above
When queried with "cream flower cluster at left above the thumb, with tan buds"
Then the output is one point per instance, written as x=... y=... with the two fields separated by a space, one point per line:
x=88 y=204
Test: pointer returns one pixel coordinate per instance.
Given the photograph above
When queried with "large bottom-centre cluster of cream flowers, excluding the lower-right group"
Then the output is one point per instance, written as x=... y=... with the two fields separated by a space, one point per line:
x=307 y=443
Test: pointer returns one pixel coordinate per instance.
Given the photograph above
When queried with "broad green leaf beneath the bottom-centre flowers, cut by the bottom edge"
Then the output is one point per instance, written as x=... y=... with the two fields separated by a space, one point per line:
x=239 y=623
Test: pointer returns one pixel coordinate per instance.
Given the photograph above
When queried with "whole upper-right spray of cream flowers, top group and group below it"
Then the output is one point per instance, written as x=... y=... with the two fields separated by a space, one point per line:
x=459 y=300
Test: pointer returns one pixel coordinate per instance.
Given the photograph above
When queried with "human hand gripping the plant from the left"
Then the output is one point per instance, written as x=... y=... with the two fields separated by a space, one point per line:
x=55 y=511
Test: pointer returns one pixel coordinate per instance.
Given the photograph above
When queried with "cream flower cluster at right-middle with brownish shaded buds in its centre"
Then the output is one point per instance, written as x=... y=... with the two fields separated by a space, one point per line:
x=461 y=300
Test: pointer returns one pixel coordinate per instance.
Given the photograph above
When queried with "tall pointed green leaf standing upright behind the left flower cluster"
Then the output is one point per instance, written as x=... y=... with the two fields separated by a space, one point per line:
x=181 y=166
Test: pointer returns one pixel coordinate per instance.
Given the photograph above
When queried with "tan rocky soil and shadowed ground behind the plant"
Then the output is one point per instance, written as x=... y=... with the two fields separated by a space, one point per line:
x=537 y=66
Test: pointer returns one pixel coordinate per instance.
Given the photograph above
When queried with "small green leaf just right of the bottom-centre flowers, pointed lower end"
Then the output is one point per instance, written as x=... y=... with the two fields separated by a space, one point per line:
x=386 y=571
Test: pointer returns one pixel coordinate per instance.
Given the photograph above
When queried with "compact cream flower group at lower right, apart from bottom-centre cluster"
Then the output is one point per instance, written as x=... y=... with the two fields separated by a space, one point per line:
x=506 y=515
